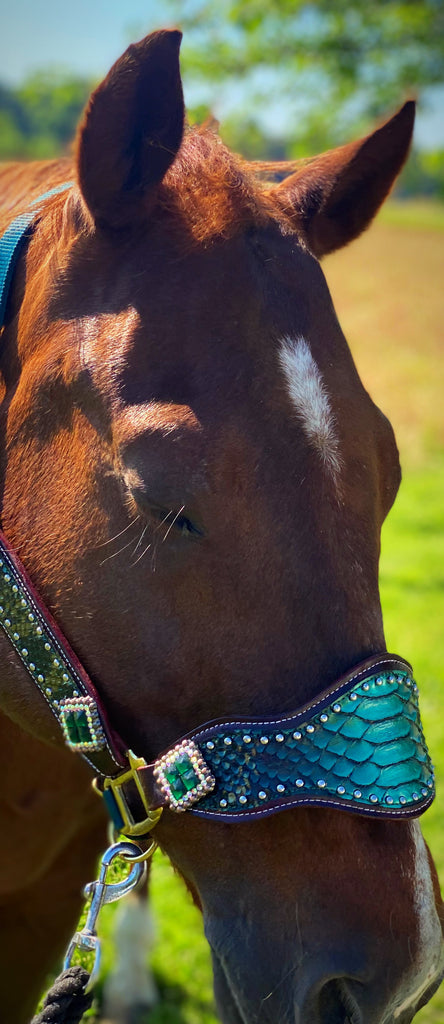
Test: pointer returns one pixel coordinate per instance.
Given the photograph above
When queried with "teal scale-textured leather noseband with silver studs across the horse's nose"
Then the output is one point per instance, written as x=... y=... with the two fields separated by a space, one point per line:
x=360 y=747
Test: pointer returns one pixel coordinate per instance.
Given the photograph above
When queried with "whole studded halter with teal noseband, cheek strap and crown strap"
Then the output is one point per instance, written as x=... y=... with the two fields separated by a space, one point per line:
x=359 y=747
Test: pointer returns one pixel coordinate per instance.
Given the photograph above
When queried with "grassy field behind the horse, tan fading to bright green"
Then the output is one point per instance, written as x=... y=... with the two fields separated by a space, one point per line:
x=388 y=292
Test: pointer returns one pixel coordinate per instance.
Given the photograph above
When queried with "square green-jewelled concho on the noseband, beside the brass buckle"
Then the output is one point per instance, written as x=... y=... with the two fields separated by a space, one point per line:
x=184 y=777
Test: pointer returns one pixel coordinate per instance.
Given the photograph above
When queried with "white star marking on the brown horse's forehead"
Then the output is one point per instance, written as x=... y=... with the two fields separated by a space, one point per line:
x=310 y=399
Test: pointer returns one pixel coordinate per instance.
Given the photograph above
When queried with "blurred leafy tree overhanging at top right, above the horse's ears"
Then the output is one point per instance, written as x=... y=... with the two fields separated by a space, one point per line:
x=329 y=67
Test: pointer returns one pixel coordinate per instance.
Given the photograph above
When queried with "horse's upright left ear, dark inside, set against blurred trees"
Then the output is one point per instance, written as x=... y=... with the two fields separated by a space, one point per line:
x=131 y=132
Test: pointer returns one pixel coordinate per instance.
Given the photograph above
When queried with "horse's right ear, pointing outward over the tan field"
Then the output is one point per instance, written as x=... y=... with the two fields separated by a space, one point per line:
x=335 y=197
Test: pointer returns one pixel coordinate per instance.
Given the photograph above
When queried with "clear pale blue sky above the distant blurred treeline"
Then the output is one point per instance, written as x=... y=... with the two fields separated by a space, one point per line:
x=86 y=36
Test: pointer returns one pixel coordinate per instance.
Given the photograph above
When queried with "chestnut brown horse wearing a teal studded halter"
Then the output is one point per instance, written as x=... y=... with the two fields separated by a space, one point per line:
x=196 y=479
